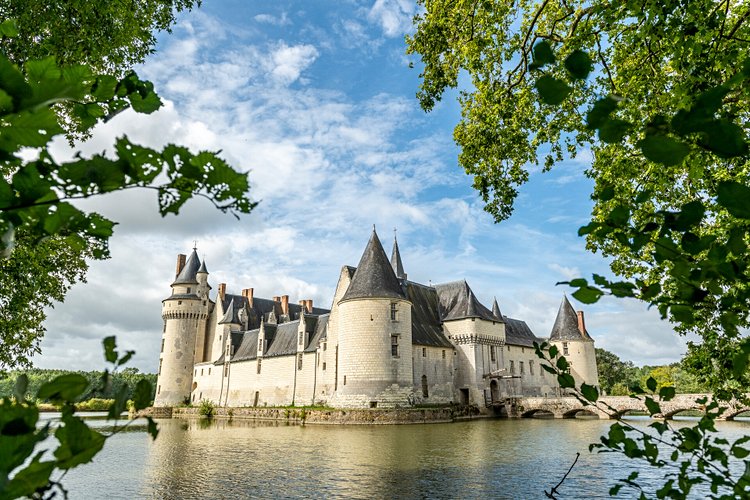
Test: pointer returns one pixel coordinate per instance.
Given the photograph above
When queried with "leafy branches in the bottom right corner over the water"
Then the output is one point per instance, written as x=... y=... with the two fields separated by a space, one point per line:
x=686 y=456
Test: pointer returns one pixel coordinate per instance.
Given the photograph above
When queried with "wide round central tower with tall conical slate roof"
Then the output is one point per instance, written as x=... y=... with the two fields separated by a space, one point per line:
x=375 y=339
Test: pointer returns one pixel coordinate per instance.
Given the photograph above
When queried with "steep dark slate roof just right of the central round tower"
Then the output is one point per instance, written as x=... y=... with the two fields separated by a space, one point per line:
x=425 y=316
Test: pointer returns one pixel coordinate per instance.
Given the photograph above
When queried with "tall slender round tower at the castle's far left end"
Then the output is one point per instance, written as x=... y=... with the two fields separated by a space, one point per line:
x=183 y=312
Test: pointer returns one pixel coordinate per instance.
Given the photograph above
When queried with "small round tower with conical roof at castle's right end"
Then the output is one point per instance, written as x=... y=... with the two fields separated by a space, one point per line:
x=573 y=342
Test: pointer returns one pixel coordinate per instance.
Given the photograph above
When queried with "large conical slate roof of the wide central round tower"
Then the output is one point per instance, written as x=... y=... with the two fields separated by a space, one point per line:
x=374 y=277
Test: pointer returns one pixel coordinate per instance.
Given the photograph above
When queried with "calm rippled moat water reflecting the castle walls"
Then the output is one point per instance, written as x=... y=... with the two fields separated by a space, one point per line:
x=246 y=459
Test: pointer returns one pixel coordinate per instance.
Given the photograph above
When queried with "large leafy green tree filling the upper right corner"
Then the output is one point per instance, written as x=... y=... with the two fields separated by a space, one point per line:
x=657 y=90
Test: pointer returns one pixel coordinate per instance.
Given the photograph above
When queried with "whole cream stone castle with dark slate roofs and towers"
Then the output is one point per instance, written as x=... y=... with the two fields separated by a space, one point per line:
x=385 y=342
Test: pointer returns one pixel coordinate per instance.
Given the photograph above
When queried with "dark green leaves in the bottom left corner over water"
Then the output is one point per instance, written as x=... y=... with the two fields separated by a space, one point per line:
x=27 y=469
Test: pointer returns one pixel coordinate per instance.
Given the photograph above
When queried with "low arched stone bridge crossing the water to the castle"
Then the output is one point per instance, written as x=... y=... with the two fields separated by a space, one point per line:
x=570 y=407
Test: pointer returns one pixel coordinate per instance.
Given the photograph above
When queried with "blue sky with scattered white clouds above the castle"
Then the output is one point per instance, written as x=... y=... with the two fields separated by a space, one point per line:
x=317 y=101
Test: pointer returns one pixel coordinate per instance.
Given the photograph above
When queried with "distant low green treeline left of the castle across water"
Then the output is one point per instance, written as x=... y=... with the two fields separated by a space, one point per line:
x=128 y=377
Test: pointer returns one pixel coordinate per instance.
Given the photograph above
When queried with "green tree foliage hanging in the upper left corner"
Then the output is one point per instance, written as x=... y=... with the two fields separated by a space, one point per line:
x=50 y=84
